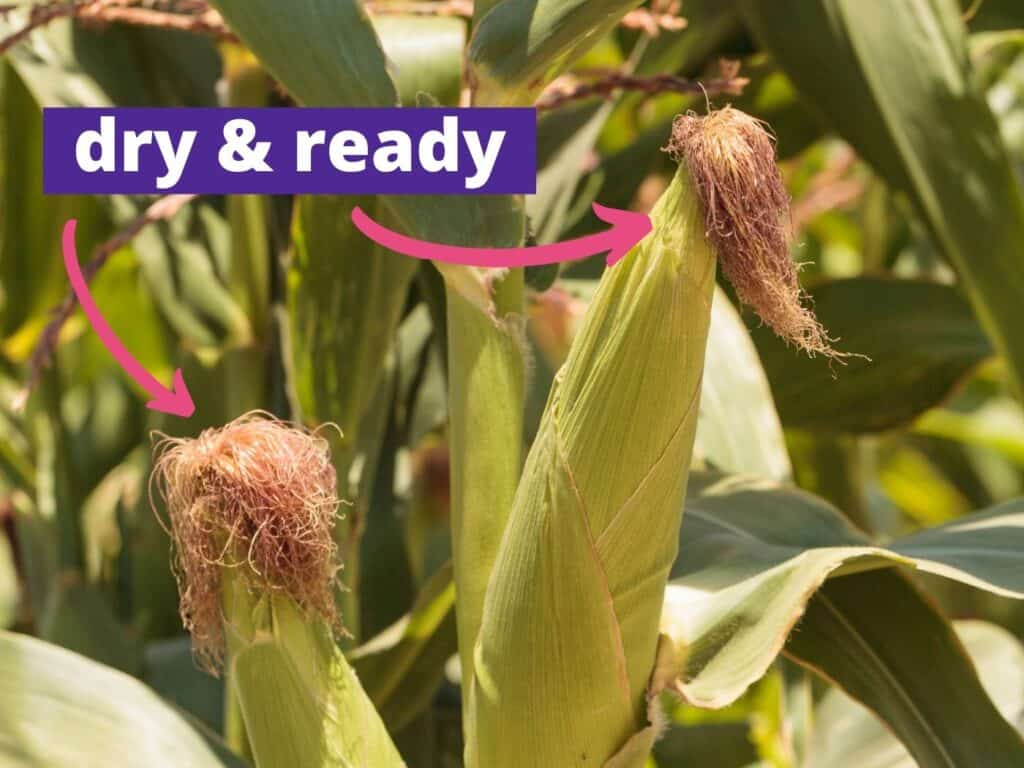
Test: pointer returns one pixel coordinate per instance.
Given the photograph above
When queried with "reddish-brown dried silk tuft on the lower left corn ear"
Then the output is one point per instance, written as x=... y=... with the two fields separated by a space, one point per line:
x=258 y=495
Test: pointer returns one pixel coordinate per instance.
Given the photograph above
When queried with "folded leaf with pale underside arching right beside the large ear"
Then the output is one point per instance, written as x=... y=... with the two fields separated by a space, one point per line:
x=753 y=554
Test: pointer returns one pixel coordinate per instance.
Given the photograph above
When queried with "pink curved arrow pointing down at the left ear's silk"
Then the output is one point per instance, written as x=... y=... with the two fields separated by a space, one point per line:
x=177 y=401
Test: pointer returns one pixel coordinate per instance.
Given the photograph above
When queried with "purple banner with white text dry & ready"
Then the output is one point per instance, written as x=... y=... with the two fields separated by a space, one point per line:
x=290 y=151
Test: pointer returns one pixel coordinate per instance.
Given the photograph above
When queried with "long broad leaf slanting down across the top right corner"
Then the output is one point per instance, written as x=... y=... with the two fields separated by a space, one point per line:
x=894 y=80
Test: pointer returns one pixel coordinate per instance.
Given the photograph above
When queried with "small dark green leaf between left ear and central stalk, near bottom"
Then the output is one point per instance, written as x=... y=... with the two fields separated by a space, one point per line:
x=403 y=667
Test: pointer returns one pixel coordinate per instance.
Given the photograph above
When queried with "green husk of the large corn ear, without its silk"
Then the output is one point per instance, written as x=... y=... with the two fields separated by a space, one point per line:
x=570 y=625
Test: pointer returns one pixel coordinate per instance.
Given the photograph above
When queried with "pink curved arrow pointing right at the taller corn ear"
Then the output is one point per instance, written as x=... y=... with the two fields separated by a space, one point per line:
x=628 y=229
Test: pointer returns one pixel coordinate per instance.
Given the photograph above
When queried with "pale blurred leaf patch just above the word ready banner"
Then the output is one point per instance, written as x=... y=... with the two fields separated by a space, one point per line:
x=425 y=56
